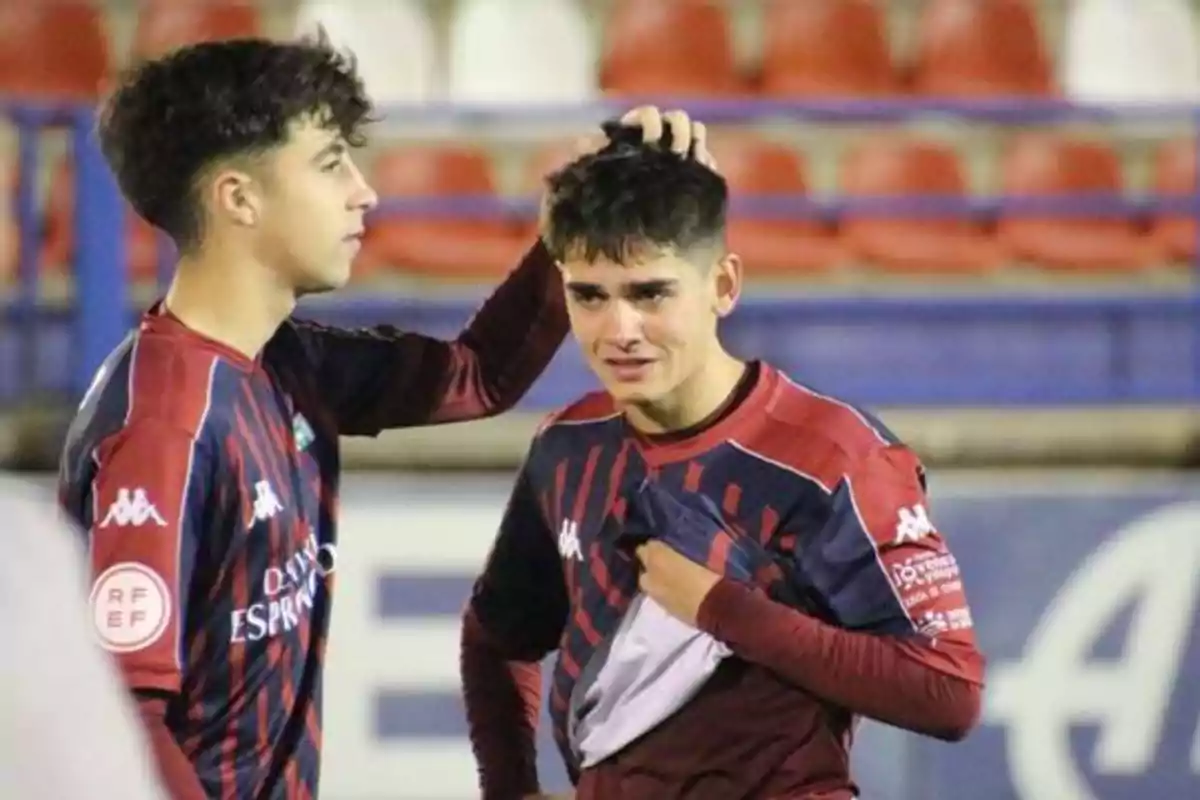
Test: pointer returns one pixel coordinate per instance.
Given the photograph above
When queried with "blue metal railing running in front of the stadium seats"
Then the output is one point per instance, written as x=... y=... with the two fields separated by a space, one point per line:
x=101 y=312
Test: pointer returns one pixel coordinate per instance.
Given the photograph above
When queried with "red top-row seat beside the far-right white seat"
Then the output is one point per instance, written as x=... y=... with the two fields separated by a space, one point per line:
x=981 y=49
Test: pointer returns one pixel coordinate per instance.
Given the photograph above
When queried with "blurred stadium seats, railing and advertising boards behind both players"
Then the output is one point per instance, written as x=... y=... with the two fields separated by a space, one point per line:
x=979 y=218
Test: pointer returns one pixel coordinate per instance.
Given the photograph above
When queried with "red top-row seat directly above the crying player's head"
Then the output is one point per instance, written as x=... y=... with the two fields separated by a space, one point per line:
x=669 y=49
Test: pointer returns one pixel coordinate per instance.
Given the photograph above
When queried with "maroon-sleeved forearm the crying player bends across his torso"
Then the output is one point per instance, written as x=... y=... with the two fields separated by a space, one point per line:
x=873 y=676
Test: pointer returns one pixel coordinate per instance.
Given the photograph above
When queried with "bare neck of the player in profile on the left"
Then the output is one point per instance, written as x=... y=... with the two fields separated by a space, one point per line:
x=230 y=302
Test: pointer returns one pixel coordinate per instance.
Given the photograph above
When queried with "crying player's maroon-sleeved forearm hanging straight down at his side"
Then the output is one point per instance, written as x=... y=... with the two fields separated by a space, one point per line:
x=503 y=702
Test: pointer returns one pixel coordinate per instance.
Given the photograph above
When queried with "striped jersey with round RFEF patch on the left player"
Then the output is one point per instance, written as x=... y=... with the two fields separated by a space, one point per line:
x=208 y=484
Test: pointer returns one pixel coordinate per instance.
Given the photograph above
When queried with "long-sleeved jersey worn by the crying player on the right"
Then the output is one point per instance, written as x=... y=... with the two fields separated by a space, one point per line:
x=841 y=599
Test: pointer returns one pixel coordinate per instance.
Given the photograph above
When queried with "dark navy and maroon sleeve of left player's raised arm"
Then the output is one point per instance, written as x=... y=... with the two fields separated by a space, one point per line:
x=382 y=378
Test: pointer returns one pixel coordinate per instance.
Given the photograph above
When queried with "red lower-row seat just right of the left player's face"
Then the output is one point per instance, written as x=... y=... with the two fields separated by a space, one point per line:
x=440 y=246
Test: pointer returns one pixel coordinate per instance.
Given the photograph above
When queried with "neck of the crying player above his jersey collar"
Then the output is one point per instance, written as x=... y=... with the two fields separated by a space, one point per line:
x=699 y=399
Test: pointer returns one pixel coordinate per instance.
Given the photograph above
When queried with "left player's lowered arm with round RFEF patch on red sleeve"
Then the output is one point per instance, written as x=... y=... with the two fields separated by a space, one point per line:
x=152 y=485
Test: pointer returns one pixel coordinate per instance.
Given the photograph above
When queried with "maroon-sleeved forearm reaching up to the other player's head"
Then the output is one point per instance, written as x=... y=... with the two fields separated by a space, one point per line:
x=509 y=342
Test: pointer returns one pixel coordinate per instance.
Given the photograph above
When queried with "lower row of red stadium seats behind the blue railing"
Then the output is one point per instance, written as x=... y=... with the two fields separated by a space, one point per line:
x=471 y=248
